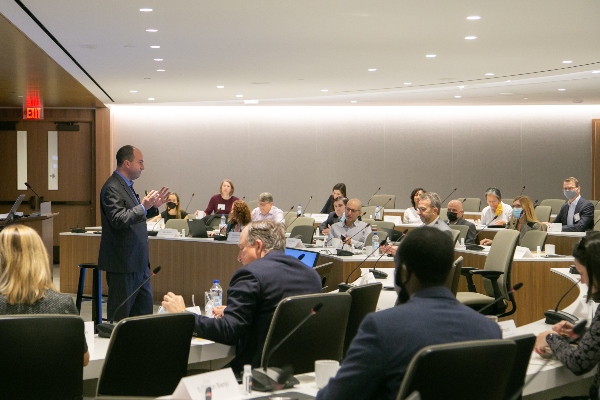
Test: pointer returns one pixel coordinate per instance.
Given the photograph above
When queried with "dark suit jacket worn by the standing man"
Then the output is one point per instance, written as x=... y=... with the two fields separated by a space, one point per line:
x=124 y=243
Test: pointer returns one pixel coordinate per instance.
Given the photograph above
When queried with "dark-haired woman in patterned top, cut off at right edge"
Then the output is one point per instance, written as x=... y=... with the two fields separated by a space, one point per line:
x=585 y=355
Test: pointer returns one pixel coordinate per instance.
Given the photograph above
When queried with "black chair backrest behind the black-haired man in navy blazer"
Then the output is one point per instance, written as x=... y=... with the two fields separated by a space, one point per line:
x=442 y=371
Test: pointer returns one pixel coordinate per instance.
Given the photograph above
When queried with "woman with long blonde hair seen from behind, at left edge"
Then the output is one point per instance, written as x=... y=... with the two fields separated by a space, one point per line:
x=26 y=278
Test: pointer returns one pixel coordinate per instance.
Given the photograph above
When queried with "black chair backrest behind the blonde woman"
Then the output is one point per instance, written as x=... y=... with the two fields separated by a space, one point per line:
x=42 y=356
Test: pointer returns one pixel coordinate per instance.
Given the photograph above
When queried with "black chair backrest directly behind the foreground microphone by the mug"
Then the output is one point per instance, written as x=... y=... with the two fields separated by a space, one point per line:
x=321 y=337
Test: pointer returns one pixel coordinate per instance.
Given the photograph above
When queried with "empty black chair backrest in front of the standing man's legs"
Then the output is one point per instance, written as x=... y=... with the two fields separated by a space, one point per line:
x=147 y=355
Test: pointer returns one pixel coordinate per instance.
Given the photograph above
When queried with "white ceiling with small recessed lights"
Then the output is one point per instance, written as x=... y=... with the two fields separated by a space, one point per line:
x=286 y=52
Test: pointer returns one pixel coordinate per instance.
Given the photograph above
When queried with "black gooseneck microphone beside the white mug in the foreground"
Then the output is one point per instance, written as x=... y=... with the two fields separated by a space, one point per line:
x=268 y=379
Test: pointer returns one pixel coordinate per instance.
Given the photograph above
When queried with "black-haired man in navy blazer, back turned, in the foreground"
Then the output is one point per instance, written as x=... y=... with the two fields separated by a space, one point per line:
x=387 y=340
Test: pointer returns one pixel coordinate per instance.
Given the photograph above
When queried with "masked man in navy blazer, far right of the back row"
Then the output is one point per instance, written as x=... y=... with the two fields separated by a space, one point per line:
x=577 y=214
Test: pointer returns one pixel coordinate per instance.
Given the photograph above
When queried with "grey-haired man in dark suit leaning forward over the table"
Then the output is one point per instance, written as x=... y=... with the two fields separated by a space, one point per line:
x=267 y=277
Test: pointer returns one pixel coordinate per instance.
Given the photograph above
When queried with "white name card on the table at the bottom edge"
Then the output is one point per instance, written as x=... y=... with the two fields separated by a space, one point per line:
x=216 y=385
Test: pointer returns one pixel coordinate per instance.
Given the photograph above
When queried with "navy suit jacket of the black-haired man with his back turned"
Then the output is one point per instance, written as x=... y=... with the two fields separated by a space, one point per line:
x=387 y=341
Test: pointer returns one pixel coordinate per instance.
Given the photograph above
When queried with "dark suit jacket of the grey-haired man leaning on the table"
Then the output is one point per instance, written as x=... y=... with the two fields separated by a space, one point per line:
x=254 y=292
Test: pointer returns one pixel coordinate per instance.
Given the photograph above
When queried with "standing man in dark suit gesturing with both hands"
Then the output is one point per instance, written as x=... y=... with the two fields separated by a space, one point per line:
x=124 y=244
